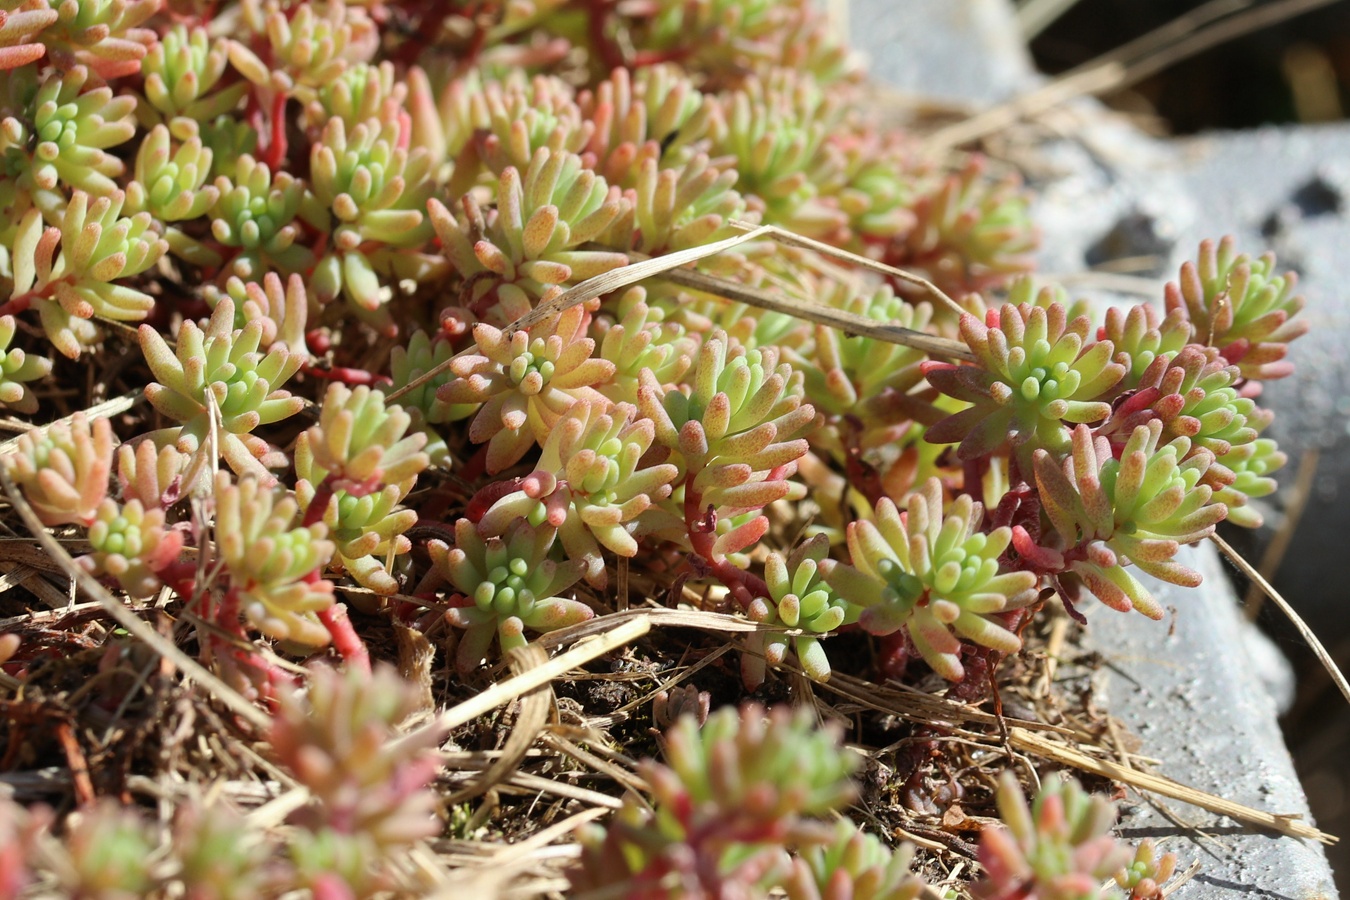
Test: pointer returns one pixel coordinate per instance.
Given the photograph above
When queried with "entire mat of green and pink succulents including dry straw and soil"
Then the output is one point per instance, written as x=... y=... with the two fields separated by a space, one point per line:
x=569 y=447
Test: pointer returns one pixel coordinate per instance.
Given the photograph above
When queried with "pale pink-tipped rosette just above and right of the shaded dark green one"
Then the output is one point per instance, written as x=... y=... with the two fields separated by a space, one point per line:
x=591 y=485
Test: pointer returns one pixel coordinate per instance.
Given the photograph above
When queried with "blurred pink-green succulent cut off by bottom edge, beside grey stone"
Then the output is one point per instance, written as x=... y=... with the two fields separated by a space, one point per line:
x=1059 y=849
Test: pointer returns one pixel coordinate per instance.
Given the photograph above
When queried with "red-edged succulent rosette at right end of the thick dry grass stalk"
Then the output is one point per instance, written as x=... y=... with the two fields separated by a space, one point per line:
x=1035 y=373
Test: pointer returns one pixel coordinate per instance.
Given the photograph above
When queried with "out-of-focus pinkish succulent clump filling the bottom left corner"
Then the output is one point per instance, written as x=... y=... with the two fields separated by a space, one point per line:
x=369 y=805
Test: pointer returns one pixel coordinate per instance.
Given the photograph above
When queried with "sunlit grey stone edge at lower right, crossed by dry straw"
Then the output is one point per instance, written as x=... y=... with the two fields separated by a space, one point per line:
x=1191 y=697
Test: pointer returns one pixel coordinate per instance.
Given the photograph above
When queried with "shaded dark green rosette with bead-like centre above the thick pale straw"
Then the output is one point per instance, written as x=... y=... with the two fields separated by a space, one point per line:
x=504 y=586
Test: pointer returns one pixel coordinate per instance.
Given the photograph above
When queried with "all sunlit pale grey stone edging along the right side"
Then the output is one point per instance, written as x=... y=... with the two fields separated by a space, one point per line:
x=1199 y=698
